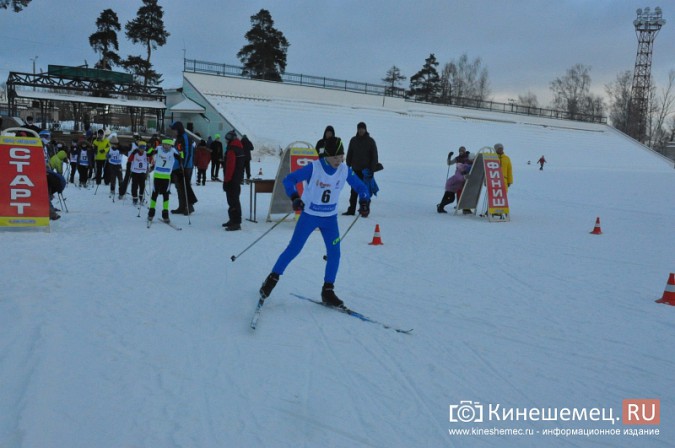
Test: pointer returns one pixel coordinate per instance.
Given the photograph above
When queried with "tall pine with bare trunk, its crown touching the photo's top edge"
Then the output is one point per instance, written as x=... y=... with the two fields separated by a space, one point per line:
x=147 y=29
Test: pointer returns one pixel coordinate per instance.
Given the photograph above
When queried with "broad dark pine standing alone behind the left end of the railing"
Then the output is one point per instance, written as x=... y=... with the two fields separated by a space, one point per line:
x=264 y=57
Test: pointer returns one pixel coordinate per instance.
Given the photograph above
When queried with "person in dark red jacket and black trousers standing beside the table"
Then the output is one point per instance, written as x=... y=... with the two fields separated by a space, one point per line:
x=233 y=175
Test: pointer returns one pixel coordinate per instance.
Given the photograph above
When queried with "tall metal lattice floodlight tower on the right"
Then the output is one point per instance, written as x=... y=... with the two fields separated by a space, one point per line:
x=647 y=25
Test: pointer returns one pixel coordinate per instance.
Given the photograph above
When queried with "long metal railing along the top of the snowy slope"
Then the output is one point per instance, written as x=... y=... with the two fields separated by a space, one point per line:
x=214 y=68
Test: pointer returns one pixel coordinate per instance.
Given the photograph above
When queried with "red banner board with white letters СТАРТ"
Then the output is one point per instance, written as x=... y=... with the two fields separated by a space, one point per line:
x=24 y=200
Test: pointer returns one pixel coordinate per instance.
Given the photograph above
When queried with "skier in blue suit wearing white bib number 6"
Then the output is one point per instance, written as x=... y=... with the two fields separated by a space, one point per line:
x=325 y=178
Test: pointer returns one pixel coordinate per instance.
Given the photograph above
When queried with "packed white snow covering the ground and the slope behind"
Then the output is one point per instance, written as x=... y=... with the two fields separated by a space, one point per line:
x=115 y=335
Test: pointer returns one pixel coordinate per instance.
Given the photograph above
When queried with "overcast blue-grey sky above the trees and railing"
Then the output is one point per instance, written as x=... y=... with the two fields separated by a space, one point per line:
x=525 y=44
